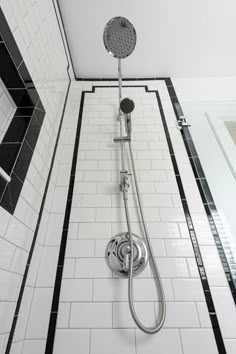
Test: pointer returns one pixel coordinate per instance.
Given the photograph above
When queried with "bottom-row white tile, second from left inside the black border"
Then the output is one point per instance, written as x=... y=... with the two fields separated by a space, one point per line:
x=112 y=341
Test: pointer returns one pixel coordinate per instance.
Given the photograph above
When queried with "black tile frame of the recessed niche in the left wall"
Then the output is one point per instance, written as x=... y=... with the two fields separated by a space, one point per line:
x=20 y=139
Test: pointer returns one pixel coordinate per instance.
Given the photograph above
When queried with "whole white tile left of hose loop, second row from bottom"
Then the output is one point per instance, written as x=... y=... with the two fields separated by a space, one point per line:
x=91 y=315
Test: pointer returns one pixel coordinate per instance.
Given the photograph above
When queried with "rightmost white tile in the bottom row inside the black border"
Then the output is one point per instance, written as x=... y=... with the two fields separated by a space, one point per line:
x=197 y=341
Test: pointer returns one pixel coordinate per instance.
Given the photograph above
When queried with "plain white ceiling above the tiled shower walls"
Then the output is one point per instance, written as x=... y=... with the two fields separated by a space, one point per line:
x=180 y=38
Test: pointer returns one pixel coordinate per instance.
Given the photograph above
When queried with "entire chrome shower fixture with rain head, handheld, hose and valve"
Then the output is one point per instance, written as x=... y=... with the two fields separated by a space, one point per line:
x=127 y=254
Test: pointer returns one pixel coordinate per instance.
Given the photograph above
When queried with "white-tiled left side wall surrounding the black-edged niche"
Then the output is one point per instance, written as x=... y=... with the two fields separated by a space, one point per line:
x=37 y=35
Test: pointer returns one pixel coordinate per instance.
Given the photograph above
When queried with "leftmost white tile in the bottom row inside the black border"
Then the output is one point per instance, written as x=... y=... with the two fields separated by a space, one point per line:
x=71 y=341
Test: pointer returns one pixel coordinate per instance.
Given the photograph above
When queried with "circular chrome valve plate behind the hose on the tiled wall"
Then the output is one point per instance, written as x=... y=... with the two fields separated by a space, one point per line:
x=116 y=254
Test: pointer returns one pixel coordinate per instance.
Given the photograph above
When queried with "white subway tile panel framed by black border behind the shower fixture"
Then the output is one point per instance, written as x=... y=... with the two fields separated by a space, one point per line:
x=93 y=299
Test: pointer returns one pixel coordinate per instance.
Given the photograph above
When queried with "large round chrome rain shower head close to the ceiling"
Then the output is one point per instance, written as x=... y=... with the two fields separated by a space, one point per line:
x=119 y=37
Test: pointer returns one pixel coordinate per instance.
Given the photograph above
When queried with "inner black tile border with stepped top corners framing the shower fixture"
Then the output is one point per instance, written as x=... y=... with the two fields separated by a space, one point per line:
x=196 y=249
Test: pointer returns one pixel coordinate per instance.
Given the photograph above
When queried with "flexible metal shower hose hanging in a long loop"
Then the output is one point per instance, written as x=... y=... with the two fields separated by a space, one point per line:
x=152 y=260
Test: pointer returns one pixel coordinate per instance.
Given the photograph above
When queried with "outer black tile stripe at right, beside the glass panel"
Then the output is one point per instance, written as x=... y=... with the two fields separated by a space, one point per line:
x=203 y=187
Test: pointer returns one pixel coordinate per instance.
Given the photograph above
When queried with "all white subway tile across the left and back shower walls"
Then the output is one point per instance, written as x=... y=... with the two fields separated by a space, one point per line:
x=94 y=315
